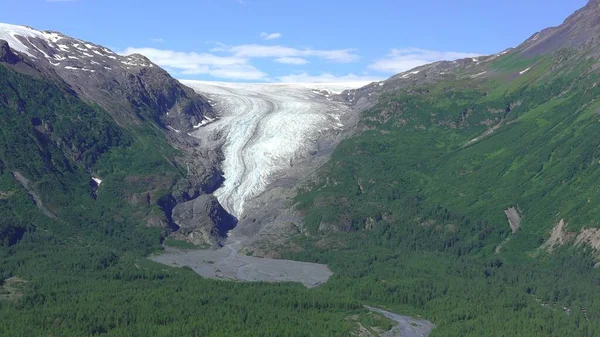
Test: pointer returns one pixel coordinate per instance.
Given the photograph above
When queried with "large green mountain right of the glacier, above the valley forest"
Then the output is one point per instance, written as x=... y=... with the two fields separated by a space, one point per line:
x=513 y=130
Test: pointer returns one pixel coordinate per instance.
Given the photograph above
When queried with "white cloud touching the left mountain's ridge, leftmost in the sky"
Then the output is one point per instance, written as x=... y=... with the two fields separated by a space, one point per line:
x=235 y=68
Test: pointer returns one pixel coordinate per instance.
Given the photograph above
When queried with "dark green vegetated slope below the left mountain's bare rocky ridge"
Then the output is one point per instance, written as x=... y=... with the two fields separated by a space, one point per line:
x=52 y=146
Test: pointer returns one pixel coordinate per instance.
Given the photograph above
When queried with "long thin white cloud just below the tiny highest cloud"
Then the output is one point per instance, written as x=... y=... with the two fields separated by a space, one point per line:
x=257 y=50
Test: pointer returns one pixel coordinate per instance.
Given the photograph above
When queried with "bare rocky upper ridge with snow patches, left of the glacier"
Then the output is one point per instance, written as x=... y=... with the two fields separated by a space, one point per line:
x=130 y=88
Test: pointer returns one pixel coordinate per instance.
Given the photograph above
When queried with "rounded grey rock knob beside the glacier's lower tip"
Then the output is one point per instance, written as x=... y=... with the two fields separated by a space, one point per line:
x=202 y=221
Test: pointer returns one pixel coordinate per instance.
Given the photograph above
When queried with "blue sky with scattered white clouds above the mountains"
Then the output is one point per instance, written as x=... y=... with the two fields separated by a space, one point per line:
x=291 y=41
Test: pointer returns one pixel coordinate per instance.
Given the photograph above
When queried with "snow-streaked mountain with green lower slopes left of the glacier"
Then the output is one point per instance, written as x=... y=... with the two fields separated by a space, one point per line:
x=112 y=119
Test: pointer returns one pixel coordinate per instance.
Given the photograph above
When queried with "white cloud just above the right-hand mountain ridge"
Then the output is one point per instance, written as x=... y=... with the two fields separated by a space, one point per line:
x=399 y=60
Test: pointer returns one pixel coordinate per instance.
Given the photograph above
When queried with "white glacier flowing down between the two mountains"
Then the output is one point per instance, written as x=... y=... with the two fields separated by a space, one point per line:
x=265 y=128
